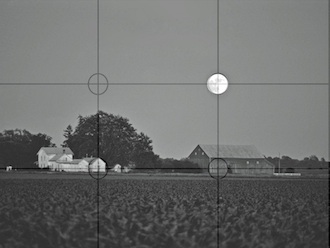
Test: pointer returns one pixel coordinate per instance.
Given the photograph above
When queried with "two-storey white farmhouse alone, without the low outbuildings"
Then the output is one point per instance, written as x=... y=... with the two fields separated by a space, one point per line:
x=45 y=154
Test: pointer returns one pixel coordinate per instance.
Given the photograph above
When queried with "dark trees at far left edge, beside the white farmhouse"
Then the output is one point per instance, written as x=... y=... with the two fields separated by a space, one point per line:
x=19 y=148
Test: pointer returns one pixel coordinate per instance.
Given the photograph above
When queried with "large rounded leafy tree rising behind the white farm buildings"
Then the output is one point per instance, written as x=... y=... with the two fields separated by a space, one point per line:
x=115 y=140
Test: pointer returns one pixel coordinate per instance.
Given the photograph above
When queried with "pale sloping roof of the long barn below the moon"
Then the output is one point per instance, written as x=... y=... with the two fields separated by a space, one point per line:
x=231 y=151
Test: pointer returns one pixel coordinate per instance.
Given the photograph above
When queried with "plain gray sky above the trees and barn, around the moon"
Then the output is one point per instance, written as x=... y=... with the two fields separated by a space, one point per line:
x=172 y=41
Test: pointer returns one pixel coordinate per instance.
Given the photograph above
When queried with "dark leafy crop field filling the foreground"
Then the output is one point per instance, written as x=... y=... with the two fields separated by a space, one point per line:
x=163 y=213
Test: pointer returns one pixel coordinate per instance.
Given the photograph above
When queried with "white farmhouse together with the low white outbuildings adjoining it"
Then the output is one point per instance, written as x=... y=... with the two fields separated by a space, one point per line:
x=61 y=159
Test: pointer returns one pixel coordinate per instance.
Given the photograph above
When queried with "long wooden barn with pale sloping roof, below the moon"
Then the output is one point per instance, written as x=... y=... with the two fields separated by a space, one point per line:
x=241 y=159
